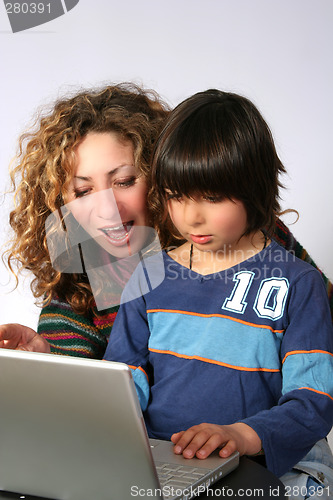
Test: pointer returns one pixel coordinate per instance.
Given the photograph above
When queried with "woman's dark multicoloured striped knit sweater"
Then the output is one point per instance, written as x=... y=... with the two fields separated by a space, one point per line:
x=73 y=334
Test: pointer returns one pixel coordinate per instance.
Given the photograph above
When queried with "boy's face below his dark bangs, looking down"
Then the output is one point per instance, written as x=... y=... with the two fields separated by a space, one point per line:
x=209 y=223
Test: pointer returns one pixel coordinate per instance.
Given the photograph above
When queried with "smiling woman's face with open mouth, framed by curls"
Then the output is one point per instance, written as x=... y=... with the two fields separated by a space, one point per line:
x=108 y=194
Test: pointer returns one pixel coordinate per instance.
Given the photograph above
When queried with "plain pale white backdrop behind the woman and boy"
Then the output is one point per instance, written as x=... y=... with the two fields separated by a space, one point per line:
x=276 y=52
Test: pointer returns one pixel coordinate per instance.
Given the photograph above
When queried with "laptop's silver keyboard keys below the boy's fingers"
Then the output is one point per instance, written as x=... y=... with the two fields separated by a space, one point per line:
x=177 y=477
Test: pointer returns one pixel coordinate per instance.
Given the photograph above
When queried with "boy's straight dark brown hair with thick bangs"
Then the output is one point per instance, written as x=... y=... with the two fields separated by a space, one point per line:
x=216 y=143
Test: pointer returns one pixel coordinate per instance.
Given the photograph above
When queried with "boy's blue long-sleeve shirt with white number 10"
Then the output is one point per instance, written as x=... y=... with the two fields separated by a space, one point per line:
x=251 y=344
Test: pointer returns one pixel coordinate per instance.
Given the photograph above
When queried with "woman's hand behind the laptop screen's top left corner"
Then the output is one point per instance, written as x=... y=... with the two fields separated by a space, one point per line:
x=15 y=336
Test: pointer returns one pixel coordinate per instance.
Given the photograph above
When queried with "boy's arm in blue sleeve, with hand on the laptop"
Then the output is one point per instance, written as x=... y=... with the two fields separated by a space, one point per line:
x=303 y=414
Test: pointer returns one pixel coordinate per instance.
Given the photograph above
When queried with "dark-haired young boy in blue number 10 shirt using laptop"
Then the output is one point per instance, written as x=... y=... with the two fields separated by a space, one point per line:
x=234 y=349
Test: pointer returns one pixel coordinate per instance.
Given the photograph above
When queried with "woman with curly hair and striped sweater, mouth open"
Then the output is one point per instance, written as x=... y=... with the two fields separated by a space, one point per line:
x=61 y=163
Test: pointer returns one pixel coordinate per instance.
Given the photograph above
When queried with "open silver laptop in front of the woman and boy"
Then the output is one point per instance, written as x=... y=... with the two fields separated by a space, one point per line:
x=72 y=429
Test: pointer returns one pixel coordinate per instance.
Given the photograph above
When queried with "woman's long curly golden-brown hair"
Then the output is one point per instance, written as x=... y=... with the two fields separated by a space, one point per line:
x=44 y=168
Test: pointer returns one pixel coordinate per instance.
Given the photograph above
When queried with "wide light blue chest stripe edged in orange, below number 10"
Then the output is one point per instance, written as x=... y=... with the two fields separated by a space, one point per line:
x=214 y=338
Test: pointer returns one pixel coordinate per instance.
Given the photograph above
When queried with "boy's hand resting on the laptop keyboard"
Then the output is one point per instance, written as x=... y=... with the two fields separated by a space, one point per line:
x=201 y=440
